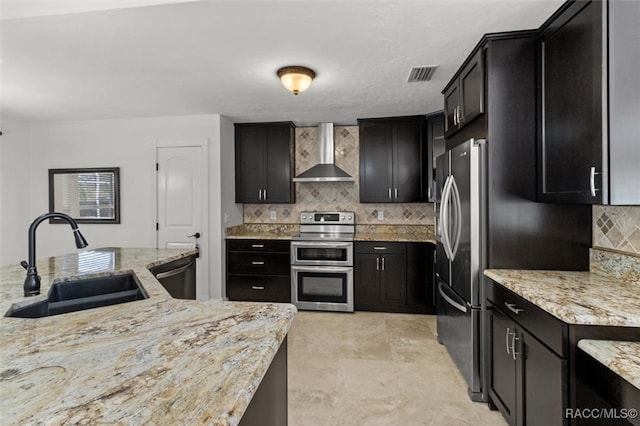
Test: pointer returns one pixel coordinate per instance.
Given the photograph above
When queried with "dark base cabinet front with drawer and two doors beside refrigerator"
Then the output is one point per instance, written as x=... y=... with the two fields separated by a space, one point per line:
x=527 y=379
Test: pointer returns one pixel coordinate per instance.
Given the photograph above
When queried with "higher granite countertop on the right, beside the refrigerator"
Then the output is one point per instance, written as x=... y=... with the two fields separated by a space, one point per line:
x=581 y=298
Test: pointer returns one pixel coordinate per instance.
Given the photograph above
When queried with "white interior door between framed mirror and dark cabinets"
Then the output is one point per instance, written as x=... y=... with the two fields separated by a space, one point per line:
x=181 y=199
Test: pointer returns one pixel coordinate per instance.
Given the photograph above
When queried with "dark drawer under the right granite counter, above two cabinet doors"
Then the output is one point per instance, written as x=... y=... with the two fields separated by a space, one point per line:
x=548 y=329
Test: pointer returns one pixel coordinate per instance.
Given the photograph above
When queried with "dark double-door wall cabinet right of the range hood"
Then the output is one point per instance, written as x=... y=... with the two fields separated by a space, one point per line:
x=393 y=160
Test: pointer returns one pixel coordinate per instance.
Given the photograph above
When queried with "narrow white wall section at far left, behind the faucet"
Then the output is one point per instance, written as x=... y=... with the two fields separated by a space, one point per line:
x=15 y=178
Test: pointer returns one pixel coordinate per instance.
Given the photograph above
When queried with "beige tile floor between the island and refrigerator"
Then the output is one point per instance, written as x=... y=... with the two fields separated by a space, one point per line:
x=375 y=369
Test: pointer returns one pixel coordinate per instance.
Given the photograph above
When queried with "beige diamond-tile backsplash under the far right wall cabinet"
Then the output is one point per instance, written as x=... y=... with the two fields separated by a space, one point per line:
x=617 y=228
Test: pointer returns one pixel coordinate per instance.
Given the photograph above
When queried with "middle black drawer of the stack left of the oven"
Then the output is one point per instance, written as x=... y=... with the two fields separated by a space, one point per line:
x=258 y=263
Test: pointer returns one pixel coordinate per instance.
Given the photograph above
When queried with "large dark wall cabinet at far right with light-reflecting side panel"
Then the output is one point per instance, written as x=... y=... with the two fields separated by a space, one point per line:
x=588 y=104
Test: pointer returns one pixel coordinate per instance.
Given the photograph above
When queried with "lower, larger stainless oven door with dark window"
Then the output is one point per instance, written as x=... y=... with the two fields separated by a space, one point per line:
x=322 y=288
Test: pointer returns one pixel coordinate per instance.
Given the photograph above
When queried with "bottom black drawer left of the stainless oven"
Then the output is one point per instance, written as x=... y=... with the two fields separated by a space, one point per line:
x=259 y=288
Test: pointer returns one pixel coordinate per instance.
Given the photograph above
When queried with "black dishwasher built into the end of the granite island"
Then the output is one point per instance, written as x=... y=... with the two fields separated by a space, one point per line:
x=178 y=277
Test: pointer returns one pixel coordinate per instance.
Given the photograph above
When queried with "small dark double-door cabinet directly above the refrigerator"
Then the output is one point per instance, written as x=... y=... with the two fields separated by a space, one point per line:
x=464 y=95
